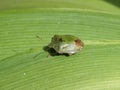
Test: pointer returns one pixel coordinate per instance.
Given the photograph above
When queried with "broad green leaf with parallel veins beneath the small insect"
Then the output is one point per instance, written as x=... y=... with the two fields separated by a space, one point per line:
x=24 y=64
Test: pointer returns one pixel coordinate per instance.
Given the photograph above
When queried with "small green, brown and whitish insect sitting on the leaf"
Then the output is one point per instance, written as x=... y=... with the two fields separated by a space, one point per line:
x=66 y=44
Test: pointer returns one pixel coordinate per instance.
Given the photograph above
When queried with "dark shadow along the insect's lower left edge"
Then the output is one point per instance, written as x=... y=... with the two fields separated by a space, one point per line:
x=52 y=52
